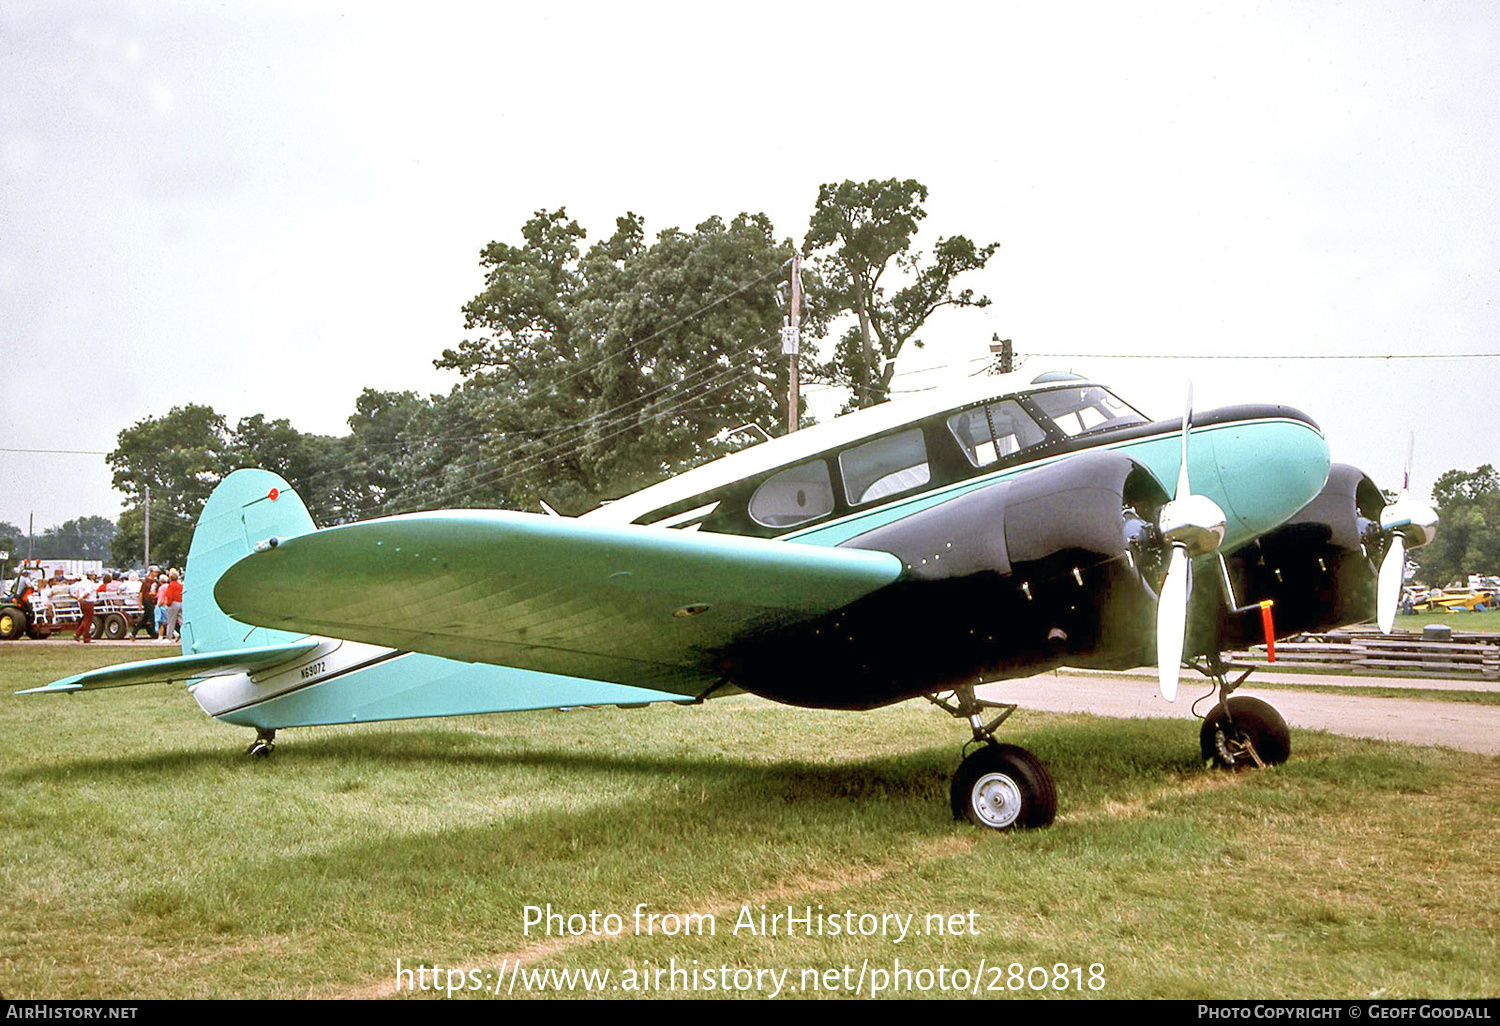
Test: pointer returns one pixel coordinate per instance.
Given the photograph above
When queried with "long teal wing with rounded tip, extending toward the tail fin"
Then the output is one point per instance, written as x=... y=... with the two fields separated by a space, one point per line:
x=631 y=605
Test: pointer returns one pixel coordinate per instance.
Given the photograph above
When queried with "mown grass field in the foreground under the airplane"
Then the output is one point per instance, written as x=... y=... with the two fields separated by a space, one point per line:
x=143 y=856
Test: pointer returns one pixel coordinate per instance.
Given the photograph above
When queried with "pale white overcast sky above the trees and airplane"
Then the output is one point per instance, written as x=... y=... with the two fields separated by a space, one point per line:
x=269 y=206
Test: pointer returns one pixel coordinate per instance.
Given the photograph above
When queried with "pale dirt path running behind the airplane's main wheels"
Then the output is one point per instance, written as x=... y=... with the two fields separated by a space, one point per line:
x=1454 y=725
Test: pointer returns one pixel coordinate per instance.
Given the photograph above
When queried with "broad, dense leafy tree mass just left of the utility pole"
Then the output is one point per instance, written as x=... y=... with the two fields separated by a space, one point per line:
x=599 y=373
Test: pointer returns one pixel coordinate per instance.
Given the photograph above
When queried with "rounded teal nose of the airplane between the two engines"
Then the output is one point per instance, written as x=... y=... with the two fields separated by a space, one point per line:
x=1270 y=470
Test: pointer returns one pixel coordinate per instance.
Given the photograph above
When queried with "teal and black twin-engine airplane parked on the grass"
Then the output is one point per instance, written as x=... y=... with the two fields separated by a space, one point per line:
x=914 y=550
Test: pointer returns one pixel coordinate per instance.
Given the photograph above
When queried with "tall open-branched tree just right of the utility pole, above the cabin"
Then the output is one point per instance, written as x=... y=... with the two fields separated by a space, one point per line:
x=866 y=232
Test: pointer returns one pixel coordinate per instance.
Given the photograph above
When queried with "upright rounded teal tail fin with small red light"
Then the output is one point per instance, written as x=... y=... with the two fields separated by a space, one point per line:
x=247 y=509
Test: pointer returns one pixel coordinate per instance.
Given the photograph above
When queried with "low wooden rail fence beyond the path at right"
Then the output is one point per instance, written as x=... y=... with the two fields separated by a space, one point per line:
x=1456 y=655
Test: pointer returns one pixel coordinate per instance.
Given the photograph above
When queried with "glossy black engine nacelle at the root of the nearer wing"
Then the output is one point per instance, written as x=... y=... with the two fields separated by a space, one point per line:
x=1004 y=581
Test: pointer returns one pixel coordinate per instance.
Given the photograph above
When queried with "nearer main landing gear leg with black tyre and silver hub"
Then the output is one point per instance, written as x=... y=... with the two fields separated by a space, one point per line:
x=1000 y=787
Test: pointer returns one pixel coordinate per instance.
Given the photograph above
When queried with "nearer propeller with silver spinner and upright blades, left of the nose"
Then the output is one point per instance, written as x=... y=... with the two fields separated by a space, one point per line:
x=1193 y=526
